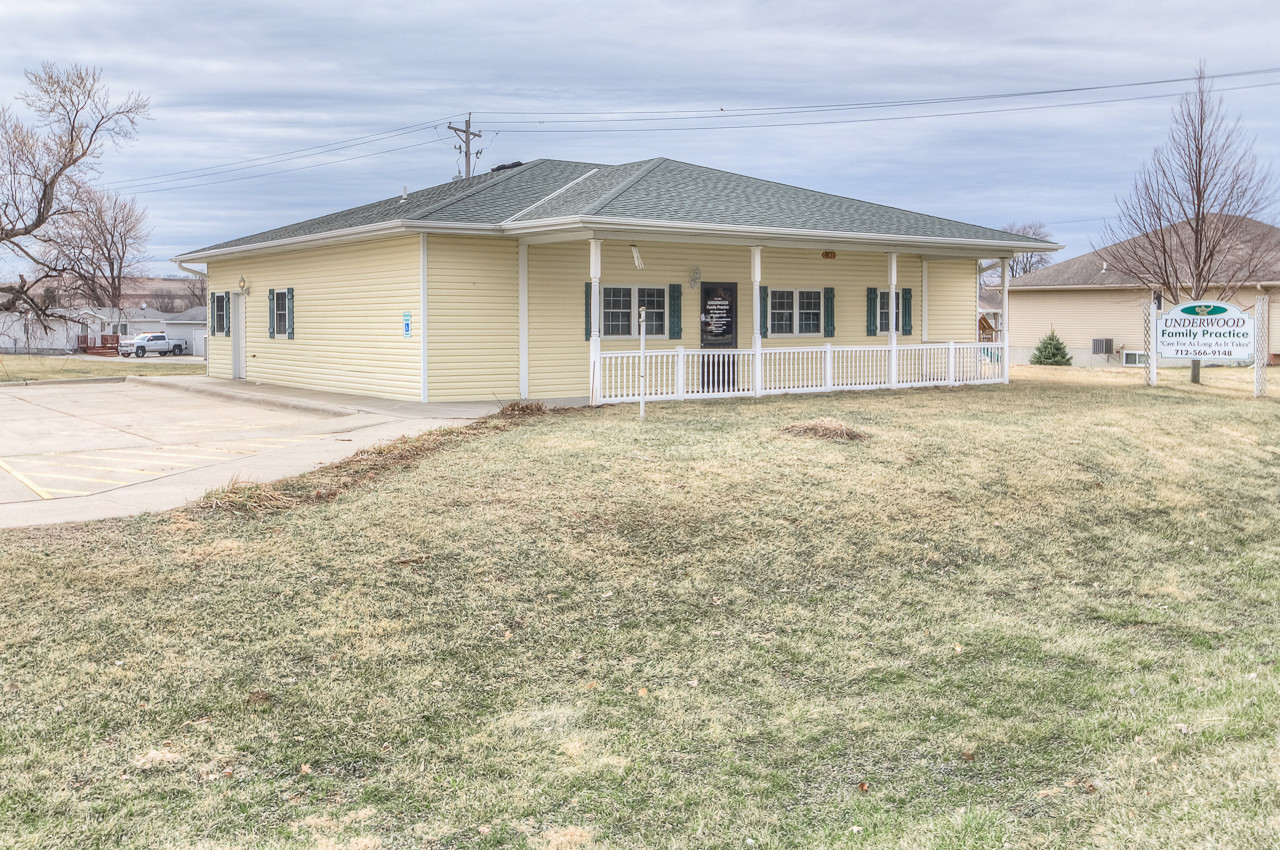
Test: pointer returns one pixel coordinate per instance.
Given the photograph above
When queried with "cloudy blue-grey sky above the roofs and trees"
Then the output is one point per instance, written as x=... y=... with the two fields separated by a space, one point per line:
x=273 y=112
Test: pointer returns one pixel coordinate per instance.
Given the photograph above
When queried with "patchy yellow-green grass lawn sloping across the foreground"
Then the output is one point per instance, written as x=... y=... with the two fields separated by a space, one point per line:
x=1039 y=615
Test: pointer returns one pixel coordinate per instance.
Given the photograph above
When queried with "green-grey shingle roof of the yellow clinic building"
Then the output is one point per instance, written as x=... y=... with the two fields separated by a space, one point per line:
x=550 y=195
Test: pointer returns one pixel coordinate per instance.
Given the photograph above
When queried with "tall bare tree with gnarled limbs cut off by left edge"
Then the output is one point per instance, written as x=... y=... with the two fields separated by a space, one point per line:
x=47 y=166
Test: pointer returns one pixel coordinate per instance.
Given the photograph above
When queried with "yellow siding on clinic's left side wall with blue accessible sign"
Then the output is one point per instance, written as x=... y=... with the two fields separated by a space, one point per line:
x=348 y=313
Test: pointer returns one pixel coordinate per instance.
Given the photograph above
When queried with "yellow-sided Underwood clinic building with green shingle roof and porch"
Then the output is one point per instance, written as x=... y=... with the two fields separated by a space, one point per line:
x=529 y=282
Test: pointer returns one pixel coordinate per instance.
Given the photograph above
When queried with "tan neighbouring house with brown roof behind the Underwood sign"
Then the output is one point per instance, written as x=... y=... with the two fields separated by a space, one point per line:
x=1101 y=316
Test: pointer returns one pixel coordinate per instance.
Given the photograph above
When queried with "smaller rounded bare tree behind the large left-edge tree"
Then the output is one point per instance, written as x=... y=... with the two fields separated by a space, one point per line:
x=100 y=249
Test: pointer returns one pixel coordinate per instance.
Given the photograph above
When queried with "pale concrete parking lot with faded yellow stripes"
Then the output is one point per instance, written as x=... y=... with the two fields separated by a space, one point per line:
x=93 y=450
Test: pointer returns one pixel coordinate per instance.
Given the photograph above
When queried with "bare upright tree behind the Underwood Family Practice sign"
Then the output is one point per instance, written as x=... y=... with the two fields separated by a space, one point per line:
x=1191 y=221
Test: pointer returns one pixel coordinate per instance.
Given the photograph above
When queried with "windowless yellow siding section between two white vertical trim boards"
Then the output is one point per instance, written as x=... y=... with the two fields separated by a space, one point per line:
x=473 y=314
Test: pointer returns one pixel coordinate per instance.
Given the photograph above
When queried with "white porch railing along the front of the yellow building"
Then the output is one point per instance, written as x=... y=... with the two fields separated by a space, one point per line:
x=680 y=373
